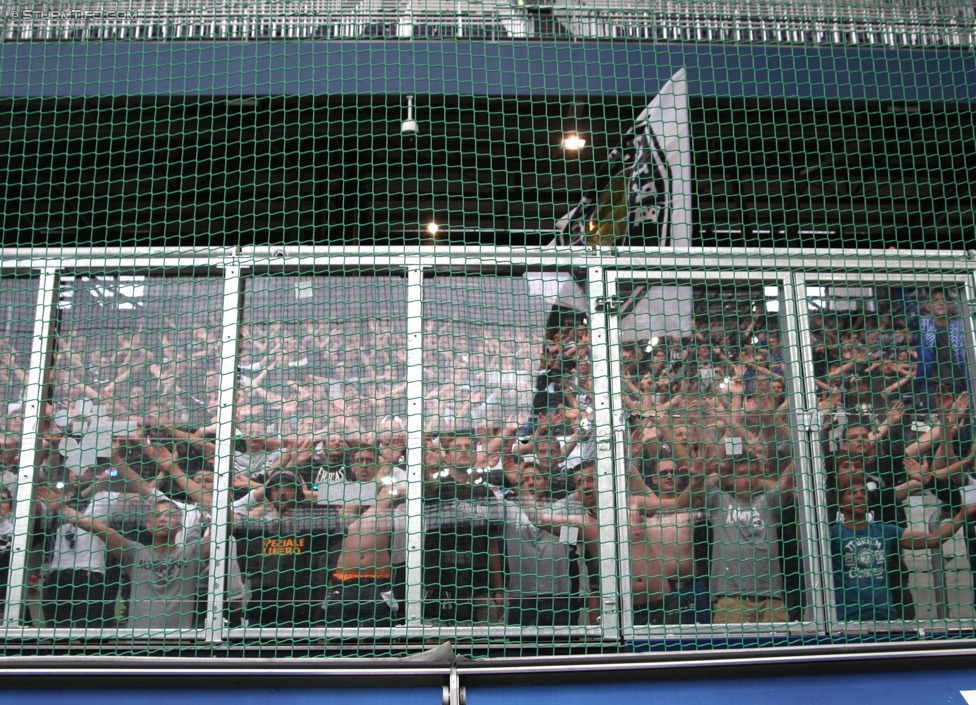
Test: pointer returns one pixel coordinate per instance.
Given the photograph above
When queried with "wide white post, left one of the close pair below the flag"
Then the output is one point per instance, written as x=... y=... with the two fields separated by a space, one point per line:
x=604 y=455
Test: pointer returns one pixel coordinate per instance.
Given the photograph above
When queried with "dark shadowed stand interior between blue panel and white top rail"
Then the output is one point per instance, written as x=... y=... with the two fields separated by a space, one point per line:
x=335 y=170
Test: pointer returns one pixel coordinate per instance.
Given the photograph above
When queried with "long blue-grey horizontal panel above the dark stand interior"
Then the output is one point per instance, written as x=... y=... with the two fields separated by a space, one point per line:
x=463 y=67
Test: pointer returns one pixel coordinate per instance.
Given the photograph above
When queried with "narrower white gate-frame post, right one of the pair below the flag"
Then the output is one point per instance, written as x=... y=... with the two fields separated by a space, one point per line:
x=618 y=418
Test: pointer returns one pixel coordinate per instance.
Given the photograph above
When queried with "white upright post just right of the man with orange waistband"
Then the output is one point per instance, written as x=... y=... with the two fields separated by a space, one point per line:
x=415 y=444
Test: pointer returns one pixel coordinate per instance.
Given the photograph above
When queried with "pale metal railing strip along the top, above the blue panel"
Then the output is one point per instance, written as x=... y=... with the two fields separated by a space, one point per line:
x=862 y=22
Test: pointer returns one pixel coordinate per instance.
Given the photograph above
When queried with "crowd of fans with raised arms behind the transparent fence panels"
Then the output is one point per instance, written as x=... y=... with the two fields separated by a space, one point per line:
x=124 y=522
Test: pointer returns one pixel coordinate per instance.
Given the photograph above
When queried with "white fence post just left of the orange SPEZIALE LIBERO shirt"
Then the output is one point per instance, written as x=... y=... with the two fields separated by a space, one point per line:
x=229 y=345
